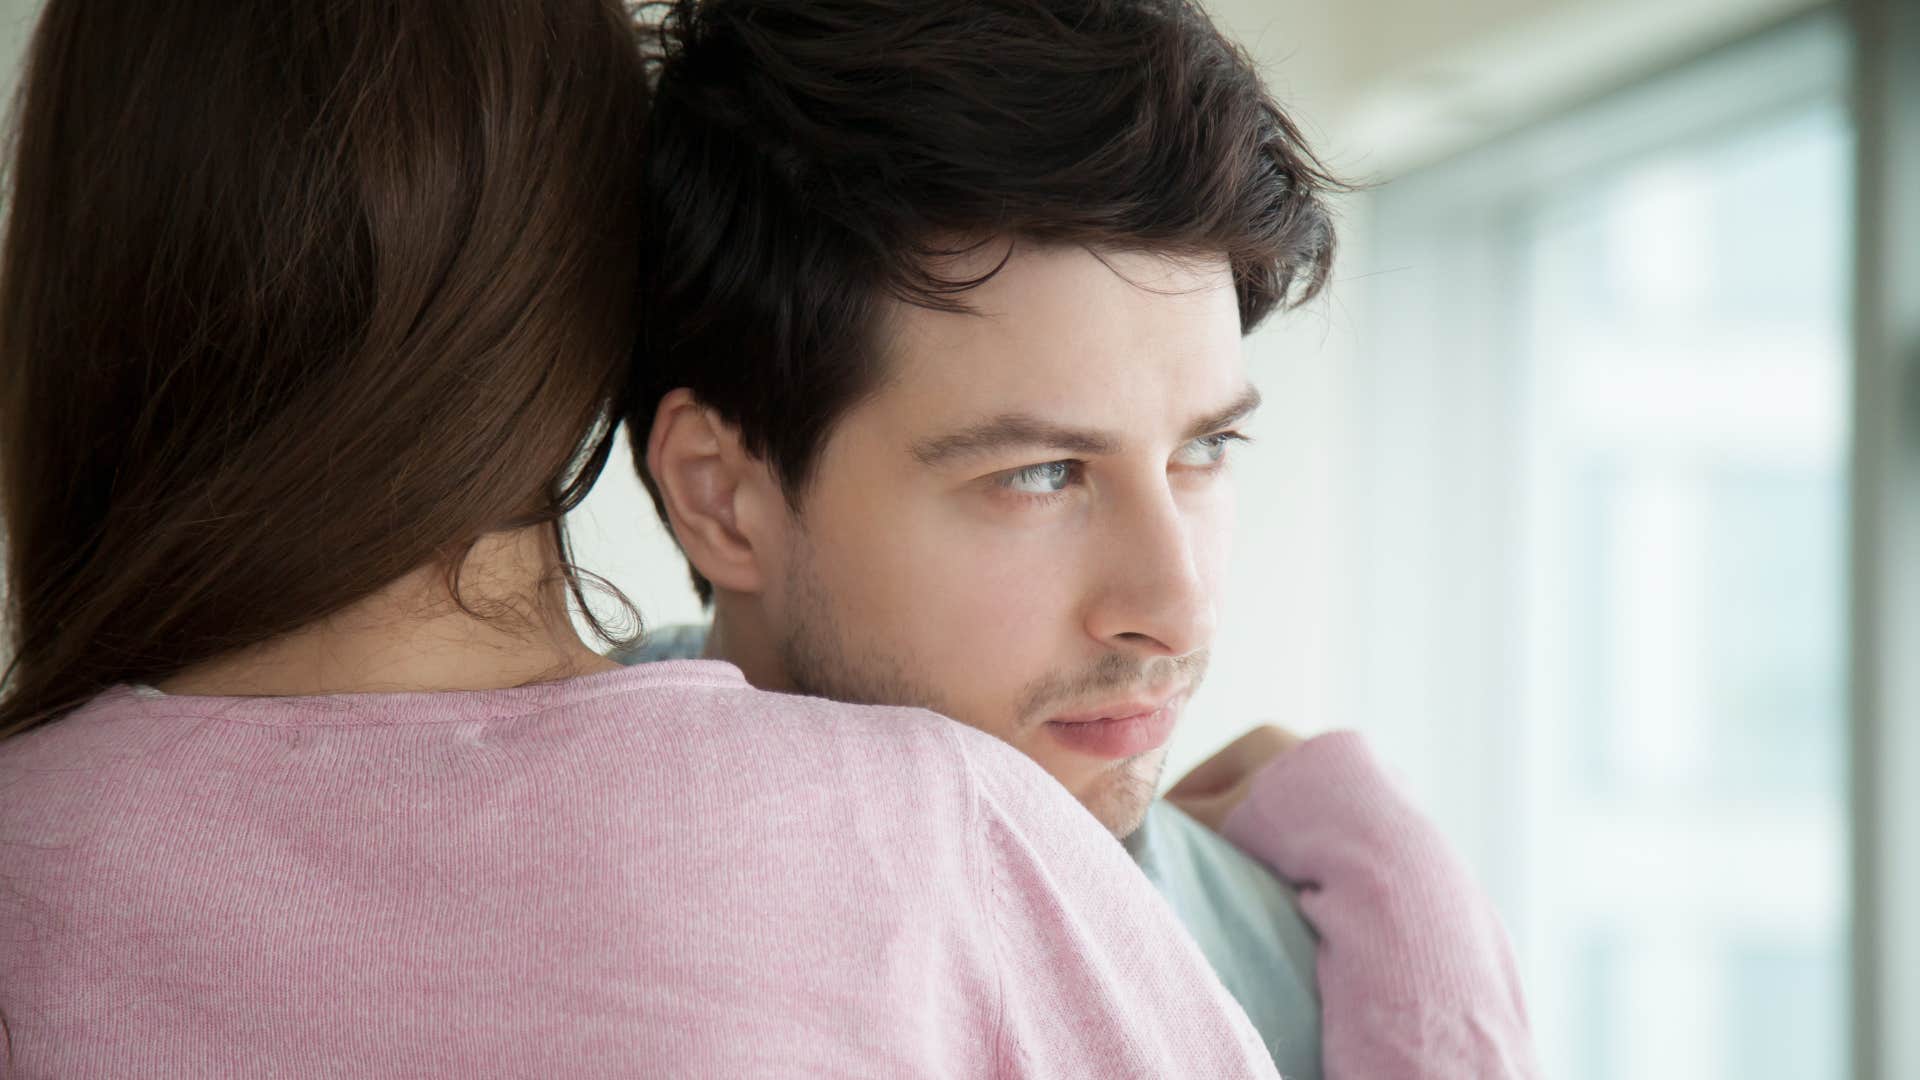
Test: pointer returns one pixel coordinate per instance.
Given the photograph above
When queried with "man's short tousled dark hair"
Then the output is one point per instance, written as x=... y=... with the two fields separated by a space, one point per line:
x=811 y=160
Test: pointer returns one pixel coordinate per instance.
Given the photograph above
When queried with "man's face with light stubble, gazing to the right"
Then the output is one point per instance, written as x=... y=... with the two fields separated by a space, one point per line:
x=1024 y=526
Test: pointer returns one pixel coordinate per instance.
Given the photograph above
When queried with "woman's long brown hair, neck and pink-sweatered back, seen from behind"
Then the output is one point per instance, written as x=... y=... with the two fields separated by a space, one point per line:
x=312 y=318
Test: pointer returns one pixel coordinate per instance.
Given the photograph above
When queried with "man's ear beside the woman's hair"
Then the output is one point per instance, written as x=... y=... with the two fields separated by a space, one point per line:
x=721 y=503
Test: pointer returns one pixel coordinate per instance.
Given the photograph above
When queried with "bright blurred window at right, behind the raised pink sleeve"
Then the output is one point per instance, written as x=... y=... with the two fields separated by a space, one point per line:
x=1604 y=435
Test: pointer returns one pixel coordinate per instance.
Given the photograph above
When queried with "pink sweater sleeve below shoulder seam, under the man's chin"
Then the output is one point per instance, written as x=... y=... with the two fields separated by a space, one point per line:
x=1097 y=977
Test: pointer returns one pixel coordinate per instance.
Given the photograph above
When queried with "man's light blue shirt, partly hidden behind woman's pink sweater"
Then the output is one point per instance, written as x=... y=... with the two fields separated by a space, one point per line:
x=1245 y=920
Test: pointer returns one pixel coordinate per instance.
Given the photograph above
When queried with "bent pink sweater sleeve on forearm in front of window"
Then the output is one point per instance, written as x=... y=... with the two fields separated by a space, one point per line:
x=1416 y=973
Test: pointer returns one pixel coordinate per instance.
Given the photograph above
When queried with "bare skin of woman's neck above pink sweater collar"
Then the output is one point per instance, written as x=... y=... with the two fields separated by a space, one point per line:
x=414 y=635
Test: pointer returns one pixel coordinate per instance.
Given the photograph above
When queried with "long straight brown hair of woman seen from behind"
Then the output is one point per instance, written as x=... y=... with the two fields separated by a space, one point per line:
x=295 y=301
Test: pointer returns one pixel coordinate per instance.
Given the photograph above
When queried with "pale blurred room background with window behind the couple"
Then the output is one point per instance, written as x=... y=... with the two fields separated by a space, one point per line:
x=1583 y=493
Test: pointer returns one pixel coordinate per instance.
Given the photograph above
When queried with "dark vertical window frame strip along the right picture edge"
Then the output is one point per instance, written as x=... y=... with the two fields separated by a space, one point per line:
x=1886 y=524
